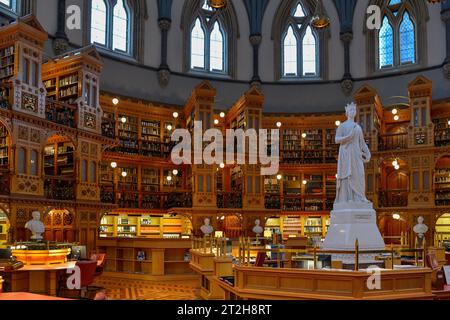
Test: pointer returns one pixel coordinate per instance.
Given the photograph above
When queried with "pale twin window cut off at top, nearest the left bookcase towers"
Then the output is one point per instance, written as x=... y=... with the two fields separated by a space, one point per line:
x=111 y=24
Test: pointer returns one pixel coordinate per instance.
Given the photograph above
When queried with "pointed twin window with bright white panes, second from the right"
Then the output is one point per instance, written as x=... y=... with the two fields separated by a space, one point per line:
x=300 y=48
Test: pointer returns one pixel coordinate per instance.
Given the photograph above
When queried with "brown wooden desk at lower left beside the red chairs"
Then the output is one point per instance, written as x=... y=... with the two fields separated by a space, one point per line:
x=38 y=279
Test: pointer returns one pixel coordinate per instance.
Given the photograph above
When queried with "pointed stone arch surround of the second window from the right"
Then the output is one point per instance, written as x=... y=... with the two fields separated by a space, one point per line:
x=282 y=15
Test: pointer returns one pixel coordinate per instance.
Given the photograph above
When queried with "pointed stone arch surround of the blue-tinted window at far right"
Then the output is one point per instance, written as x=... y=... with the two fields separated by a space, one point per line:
x=418 y=12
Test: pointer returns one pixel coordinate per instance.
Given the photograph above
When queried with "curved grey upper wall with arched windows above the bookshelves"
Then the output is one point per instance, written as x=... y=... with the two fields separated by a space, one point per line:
x=158 y=50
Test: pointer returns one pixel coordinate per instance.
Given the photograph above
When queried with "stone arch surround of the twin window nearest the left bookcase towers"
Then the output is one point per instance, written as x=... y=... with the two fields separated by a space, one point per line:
x=139 y=14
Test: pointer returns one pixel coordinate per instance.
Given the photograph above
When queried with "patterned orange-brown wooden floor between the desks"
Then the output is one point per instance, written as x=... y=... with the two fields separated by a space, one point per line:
x=118 y=288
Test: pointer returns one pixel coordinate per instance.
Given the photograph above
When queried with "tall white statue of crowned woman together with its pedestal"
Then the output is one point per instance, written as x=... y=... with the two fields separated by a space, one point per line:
x=353 y=216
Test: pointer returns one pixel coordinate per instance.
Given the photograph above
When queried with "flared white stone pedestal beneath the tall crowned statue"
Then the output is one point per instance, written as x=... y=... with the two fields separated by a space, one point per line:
x=351 y=221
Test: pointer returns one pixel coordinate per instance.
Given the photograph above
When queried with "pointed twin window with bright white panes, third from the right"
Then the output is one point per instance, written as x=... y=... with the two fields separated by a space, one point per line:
x=210 y=37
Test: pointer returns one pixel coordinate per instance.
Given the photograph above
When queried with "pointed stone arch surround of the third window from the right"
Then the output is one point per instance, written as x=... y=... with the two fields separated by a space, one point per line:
x=229 y=23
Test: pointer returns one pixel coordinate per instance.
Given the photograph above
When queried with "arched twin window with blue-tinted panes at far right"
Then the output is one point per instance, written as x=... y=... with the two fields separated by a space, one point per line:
x=400 y=42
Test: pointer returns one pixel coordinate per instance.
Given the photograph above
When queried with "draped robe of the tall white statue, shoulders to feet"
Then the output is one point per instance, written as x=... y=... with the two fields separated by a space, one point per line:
x=350 y=184
